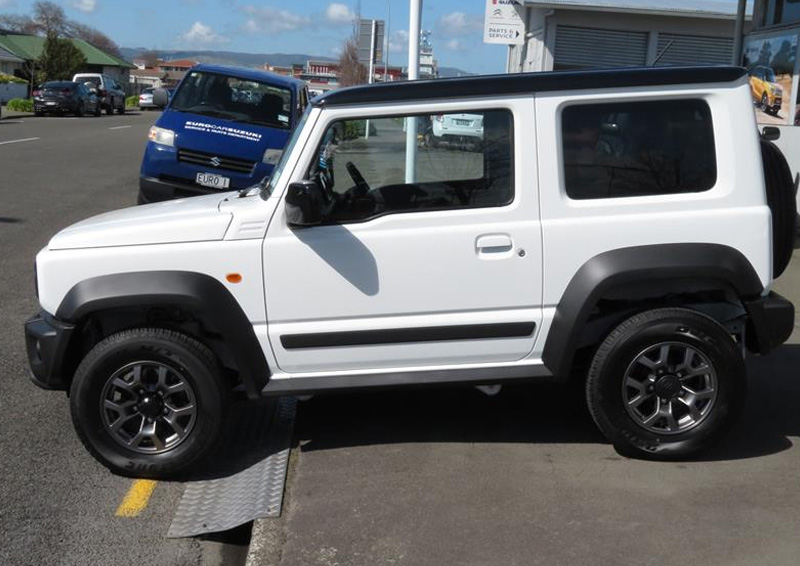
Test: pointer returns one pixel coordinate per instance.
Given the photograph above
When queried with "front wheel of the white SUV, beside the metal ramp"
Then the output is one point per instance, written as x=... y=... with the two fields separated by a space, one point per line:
x=164 y=358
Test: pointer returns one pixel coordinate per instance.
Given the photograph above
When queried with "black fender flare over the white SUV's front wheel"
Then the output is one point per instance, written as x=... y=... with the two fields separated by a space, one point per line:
x=196 y=292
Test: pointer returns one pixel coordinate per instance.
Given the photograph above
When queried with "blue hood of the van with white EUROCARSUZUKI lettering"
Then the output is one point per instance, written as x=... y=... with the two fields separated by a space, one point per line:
x=223 y=137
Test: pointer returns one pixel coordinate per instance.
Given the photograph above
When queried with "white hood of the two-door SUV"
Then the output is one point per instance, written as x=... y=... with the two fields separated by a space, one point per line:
x=196 y=219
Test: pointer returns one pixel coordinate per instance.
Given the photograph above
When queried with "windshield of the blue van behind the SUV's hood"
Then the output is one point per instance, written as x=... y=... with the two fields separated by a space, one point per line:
x=233 y=98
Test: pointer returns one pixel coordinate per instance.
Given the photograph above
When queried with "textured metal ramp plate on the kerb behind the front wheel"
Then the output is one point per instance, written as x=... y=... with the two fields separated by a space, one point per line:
x=222 y=503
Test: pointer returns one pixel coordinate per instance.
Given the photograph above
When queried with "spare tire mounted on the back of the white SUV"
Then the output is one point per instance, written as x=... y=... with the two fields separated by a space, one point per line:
x=781 y=199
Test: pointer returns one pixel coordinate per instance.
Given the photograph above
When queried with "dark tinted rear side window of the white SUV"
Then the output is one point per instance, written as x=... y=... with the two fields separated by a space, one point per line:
x=638 y=149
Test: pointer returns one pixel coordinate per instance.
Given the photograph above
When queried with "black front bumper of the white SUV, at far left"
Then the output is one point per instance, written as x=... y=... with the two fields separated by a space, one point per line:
x=47 y=339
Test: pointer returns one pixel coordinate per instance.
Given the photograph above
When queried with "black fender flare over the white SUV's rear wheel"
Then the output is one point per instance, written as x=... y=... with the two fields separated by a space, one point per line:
x=670 y=266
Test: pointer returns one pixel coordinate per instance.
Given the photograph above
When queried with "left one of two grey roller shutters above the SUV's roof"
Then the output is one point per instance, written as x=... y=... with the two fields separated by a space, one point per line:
x=587 y=47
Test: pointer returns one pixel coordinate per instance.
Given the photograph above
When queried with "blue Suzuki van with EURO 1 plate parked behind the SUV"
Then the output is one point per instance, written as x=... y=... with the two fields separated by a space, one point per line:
x=224 y=129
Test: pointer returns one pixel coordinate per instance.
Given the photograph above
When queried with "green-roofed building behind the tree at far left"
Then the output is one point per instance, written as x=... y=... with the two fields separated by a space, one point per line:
x=29 y=49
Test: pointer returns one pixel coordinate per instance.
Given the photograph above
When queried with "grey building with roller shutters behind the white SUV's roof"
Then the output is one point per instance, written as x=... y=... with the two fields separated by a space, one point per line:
x=579 y=34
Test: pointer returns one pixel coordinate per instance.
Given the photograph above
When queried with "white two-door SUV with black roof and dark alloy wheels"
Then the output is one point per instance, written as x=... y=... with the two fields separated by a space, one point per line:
x=618 y=227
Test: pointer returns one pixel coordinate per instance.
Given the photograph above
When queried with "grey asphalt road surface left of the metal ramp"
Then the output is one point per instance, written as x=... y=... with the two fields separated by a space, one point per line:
x=57 y=505
